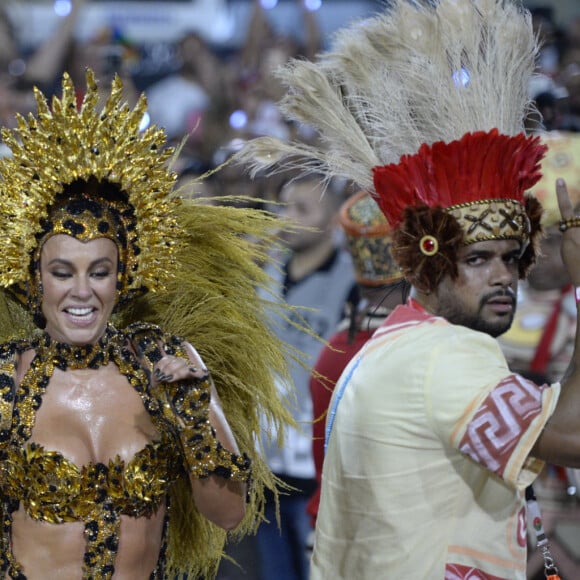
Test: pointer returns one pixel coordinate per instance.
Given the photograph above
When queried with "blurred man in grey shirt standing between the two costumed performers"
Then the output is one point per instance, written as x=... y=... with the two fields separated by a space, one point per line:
x=315 y=281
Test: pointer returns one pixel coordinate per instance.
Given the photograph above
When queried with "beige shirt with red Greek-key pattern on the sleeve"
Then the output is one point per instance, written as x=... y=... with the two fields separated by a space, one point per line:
x=427 y=460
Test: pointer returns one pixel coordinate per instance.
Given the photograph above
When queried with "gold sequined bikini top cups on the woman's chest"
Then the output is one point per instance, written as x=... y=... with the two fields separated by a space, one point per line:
x=53 y=489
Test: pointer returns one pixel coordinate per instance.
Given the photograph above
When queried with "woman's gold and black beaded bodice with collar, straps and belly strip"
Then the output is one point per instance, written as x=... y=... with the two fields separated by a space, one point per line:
x=55 y=490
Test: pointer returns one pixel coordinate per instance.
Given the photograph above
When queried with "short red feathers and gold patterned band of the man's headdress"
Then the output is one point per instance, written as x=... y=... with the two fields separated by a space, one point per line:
x=481 y=179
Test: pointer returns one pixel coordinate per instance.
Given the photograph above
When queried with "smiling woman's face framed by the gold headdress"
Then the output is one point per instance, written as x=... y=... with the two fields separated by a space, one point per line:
x=79 y=281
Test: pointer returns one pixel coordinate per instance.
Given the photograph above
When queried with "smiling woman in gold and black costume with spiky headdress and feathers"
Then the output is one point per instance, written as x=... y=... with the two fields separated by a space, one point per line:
x=116 y=457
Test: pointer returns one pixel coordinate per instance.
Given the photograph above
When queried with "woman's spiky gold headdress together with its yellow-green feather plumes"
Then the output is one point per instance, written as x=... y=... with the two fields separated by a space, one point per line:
x=92 y=173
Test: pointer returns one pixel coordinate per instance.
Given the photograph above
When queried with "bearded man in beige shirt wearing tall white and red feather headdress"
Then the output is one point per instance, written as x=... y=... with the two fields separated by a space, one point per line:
x=432 y=440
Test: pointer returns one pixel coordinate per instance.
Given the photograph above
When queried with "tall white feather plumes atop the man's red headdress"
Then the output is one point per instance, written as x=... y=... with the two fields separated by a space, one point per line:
x=418 y=73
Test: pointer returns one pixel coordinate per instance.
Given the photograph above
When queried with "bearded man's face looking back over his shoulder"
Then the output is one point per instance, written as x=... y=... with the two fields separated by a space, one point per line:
x=483 y=296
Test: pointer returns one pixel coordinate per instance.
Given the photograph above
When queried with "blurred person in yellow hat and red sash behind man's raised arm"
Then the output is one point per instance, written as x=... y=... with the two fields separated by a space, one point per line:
x=540 y=343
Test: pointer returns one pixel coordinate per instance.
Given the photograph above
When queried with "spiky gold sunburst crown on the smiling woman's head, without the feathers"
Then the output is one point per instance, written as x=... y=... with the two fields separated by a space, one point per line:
x=63 y=145
